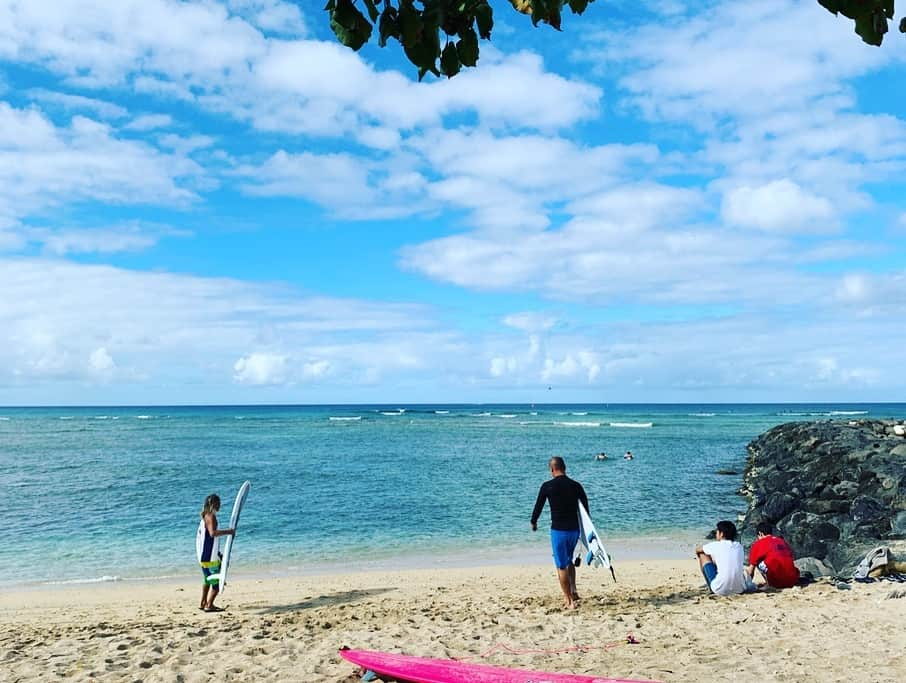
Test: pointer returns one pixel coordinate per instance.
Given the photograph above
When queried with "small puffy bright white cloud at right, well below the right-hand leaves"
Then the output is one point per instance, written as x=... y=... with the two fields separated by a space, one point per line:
x=778 y=206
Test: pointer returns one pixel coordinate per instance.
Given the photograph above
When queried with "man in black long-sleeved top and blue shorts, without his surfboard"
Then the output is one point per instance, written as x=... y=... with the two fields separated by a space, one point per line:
x=564 y=495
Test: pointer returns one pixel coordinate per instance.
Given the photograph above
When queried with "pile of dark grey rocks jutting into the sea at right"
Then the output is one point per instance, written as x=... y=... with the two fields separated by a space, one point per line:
x=833 y=489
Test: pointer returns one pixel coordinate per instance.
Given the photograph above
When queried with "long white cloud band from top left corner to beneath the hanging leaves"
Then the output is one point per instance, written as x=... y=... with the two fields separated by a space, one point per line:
x=202 y=53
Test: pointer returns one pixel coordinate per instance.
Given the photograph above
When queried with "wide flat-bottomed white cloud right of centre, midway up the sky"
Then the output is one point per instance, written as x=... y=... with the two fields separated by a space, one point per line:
x=640 y=246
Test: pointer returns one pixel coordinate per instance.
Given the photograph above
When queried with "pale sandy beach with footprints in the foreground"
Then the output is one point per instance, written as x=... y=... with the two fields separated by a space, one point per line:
x=290 y=628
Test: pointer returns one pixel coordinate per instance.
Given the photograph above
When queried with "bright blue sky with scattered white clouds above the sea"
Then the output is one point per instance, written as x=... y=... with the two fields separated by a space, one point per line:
x=211 y=202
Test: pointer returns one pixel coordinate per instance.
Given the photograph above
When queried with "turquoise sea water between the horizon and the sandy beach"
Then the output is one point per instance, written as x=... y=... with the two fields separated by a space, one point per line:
x=95 y=493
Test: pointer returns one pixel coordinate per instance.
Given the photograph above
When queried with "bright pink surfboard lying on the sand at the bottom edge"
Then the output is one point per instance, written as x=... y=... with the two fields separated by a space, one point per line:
x=424 y=670
